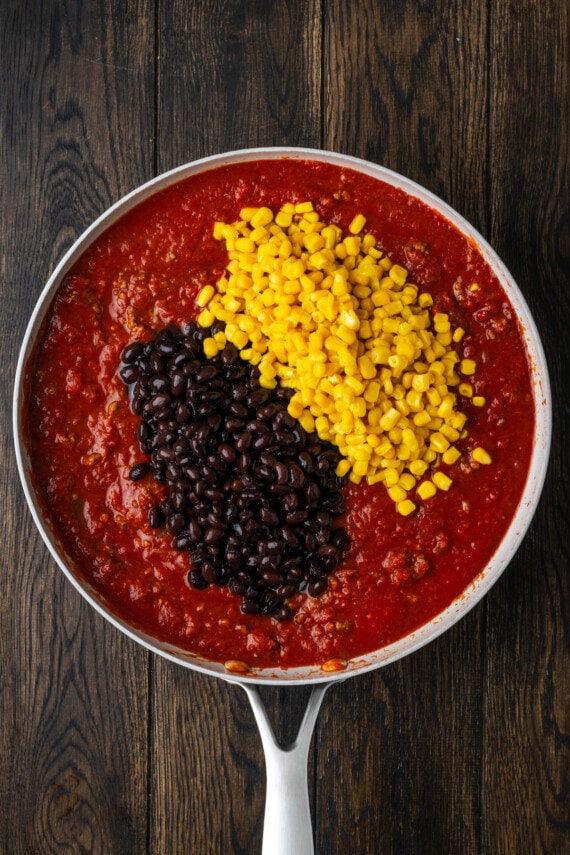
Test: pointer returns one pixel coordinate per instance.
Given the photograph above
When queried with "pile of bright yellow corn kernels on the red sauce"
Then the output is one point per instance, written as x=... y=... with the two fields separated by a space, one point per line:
x=331 y=317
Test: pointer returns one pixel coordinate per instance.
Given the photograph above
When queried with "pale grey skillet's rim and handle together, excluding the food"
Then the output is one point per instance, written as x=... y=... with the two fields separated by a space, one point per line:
x=287 y=828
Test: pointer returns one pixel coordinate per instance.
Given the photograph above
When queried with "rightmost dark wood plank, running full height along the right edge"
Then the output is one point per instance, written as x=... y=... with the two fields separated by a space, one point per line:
x=528 y=717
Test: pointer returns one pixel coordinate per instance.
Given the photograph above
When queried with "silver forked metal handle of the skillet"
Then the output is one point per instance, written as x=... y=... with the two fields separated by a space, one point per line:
x=287 y=828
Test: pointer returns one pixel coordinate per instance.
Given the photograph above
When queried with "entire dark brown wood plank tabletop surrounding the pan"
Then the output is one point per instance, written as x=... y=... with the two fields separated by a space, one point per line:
x=462 y=747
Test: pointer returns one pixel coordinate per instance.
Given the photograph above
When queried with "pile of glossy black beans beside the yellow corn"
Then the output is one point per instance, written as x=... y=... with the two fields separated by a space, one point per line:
x=253 y=497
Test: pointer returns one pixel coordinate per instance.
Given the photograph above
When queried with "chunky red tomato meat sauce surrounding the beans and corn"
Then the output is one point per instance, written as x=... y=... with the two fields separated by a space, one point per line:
x=145 y=272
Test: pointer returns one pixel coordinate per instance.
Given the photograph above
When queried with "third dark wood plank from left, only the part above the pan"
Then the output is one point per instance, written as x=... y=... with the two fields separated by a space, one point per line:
x=406 y=86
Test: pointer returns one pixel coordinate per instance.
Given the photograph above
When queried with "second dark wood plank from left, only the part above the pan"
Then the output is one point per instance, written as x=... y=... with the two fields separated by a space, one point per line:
x=241 y=74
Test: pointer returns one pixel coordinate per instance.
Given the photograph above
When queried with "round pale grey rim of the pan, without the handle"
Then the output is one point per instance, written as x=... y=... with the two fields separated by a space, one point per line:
x=522 y=518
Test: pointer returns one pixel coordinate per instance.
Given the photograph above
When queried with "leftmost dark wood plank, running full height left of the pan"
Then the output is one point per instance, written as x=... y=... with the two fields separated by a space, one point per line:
x=74 y=717
